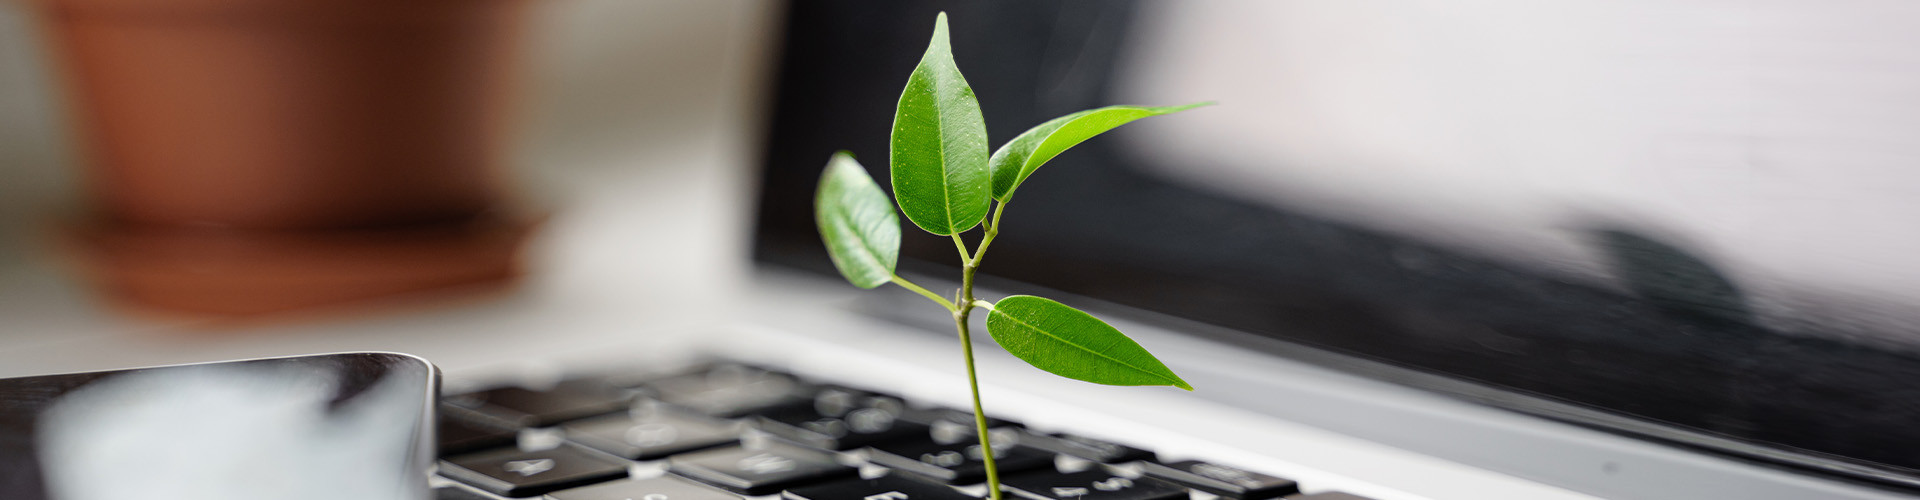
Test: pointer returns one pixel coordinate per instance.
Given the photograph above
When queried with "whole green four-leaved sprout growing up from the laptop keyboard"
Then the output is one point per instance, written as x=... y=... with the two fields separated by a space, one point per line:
x=946 y=184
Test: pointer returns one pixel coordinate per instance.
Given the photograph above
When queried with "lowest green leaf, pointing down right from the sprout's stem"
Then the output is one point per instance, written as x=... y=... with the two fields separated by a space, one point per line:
x=1070 y=343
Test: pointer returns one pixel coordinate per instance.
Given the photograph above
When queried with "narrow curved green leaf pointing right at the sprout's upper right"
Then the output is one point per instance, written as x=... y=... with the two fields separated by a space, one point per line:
x=1036 y=147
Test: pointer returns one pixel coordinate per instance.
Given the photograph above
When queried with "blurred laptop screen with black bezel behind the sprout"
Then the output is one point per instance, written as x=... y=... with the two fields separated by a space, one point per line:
x=1685 y=220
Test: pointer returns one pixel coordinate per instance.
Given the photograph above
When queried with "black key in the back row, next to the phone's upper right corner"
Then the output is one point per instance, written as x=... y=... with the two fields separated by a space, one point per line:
x=540 y=409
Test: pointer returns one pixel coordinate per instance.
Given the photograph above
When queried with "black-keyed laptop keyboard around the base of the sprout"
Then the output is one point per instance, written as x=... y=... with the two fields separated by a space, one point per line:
x=729 y=432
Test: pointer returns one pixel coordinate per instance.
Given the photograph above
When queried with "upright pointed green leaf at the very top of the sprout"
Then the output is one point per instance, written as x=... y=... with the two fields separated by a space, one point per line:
x=940 y=145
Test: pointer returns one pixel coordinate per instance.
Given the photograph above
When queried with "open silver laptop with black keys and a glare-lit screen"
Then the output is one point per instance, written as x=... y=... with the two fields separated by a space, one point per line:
x=1414 y=253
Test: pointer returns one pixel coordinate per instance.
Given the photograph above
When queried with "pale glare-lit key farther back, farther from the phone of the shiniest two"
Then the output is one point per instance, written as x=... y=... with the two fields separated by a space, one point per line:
x=731 y=391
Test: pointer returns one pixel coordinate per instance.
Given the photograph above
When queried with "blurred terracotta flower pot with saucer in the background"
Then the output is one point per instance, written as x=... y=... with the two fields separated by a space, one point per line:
x=268 y=155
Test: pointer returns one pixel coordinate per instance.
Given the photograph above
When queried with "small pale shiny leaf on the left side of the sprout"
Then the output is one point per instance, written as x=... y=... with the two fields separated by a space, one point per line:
x=857 y=222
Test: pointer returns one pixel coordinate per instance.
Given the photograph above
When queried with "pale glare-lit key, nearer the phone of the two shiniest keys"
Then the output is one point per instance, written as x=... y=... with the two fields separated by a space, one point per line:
x=652 y=434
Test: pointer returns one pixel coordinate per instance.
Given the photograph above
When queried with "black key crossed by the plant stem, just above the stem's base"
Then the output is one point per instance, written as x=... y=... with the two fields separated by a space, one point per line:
x=957 y=462
